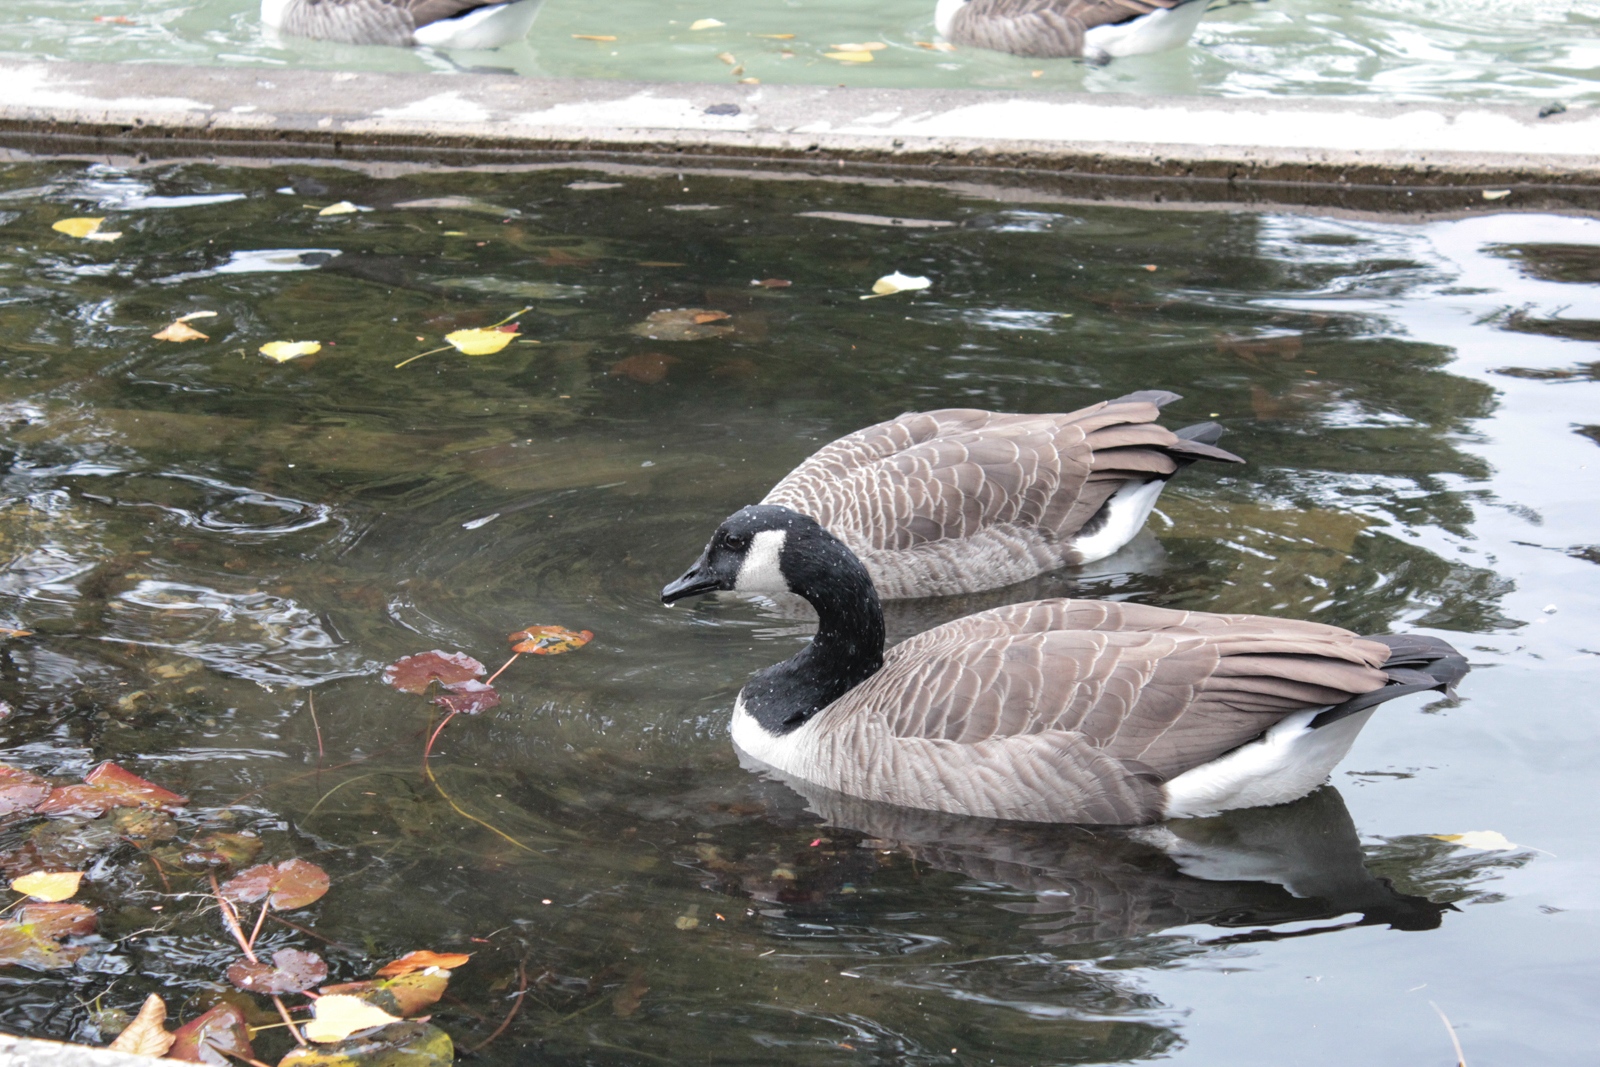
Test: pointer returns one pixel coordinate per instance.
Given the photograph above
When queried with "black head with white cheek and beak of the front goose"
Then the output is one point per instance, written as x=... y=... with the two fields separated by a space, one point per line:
x=754 y=551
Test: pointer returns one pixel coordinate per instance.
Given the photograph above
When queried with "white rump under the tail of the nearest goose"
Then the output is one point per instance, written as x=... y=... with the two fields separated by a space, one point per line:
x=1284 y=765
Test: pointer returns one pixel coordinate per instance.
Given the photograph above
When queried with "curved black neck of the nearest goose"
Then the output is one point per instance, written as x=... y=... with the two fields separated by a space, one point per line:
x=849 y=644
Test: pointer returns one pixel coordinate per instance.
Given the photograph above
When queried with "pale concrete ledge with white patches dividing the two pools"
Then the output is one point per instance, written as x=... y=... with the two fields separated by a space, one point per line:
x=1302 y=153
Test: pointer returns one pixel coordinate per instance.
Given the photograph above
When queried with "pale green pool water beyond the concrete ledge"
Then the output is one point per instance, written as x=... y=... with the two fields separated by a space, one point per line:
x=1519 y=52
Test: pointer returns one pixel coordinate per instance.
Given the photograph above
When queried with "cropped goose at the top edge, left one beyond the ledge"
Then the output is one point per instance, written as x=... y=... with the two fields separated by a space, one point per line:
x=404 y=23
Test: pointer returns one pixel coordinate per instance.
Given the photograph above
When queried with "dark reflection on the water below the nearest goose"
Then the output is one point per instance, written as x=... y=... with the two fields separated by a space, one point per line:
x=1250 y=869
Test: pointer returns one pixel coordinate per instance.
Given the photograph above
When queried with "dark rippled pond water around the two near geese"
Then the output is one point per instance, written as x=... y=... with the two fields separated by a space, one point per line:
x=204 y=543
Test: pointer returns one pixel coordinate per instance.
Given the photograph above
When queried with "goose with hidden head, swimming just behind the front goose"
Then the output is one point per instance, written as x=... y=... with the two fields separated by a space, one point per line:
x=958 y=502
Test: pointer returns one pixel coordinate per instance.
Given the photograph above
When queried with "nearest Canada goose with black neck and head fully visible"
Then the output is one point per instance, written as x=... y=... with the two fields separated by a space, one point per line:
x=1055 y=711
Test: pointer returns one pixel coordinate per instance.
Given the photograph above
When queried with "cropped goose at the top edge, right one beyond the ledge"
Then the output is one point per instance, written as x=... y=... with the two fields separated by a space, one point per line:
x=1095 y=30
